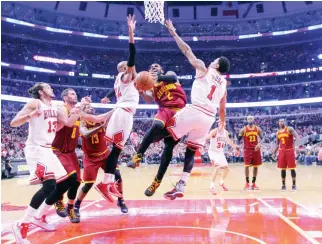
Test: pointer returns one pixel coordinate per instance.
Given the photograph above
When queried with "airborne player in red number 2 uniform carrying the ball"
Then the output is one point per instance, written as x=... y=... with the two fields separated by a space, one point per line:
x=170 y=96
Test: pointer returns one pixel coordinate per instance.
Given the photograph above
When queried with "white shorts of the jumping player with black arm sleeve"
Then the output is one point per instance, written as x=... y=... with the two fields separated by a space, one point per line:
x=119 y=127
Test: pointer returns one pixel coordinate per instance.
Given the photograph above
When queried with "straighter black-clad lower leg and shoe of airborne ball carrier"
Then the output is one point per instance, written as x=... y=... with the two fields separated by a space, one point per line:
x=169 y=144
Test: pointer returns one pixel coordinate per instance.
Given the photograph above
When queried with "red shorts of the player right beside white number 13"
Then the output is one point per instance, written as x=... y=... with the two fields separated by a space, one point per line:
x=70 y=162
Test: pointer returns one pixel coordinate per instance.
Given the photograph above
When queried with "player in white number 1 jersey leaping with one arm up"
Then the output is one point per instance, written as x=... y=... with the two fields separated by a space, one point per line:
x=207 y=93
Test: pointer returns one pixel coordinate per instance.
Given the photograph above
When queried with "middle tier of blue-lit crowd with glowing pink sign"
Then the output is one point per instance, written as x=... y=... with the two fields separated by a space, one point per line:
x=98 y=60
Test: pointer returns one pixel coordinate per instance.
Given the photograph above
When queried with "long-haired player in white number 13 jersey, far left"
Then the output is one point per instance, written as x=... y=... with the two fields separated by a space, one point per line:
x=43 y=117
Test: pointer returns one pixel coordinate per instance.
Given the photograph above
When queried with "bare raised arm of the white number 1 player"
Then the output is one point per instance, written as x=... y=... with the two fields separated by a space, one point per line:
x=186 y=50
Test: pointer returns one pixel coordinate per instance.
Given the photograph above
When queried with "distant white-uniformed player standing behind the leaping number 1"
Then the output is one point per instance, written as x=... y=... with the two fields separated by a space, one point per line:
x=218 y=140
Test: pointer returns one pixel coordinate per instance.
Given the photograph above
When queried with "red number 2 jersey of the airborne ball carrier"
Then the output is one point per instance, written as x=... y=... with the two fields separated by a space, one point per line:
x=169 y=95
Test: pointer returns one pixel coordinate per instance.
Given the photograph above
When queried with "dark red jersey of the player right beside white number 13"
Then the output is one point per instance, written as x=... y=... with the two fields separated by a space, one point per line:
x=66 y=139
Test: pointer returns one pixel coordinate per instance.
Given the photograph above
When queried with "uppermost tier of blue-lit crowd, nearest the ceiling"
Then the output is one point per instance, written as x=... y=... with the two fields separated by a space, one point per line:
x=48 y=18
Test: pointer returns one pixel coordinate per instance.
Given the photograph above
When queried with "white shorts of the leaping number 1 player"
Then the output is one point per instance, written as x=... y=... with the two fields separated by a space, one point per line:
x=194 y=122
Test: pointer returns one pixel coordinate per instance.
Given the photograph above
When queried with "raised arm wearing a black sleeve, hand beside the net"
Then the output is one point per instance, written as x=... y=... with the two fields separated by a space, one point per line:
x=130 y=73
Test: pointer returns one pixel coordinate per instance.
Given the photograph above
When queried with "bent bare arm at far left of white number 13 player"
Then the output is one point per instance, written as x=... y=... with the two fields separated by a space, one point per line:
x=30 y=110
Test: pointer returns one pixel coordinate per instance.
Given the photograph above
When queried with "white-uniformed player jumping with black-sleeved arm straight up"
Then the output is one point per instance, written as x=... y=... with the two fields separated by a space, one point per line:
x=121 y=122
